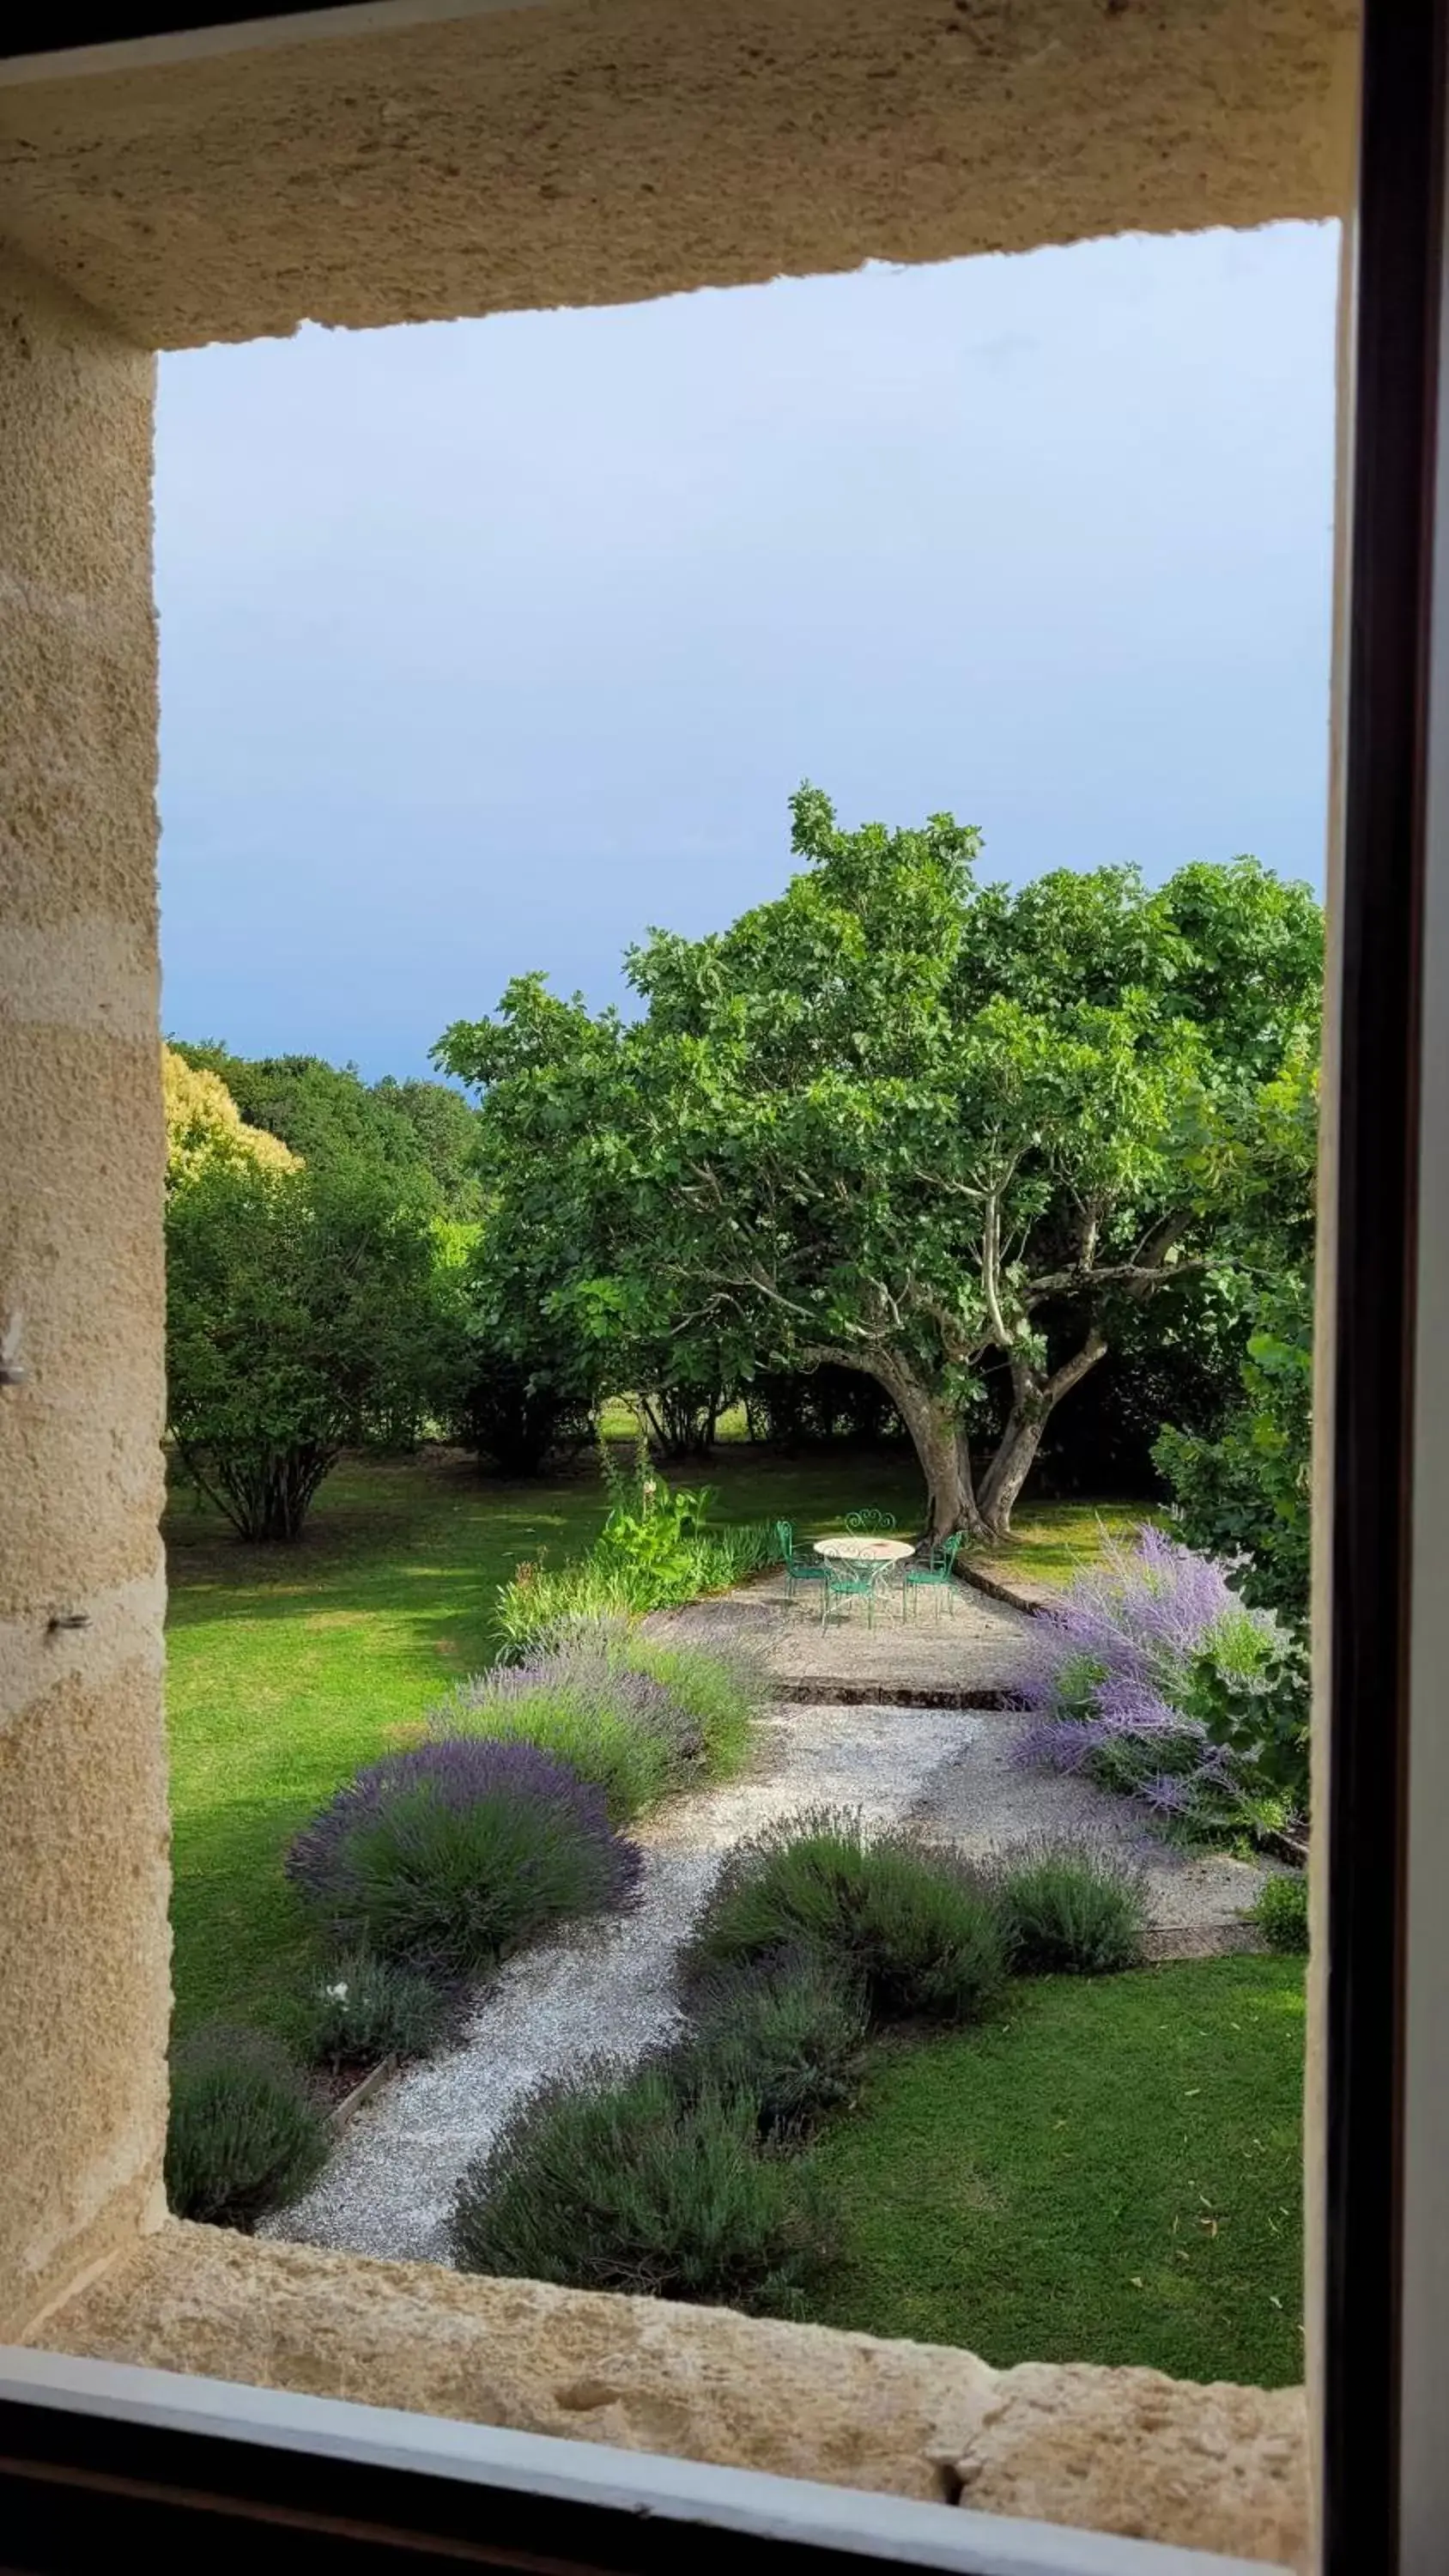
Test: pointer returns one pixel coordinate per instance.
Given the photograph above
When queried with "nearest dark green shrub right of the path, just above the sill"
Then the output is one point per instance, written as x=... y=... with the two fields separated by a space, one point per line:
x=634 y=2188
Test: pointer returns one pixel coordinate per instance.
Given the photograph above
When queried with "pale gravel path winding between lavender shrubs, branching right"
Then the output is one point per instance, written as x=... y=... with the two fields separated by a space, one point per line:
x=609 y=1987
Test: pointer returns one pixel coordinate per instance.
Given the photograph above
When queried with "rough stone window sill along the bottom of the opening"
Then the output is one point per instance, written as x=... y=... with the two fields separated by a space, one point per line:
x=1108 y=2451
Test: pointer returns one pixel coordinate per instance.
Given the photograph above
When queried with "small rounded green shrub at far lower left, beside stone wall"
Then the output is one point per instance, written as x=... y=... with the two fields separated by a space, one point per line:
x=243 y=2134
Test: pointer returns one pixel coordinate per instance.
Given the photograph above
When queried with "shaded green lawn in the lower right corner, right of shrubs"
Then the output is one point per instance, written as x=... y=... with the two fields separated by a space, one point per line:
x=1111 y=2175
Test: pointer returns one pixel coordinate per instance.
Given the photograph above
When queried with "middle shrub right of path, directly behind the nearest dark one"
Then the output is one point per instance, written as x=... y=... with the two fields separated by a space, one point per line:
x=789 y=2036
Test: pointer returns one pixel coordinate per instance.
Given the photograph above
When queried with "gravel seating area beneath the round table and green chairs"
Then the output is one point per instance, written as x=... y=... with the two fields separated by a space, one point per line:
x=961 y=1647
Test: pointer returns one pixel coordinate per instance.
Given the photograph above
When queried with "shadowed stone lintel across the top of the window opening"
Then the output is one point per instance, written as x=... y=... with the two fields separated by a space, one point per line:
x=609 y=151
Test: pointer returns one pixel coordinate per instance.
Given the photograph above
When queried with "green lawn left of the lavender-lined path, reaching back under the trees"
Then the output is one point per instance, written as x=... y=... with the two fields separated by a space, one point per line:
x=292 y=1665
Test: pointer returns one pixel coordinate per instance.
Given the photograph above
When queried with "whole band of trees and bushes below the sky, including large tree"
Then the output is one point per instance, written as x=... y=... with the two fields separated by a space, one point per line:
x=1020 y=1171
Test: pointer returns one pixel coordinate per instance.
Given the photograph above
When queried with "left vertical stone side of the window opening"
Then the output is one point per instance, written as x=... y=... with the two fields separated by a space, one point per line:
x=84 y=1830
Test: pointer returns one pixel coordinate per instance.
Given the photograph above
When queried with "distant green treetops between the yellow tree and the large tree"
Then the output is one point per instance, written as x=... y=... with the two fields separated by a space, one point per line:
x=421 y=1132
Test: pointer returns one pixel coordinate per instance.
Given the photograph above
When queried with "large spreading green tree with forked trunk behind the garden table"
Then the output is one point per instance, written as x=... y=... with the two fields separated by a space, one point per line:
x=905 y=1124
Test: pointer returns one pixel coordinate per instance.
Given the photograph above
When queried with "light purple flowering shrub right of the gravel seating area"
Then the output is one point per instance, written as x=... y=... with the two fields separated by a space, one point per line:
x=1126 y=1678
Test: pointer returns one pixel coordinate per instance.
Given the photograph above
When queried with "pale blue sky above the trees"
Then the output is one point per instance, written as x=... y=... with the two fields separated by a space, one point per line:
x=488 y=645
